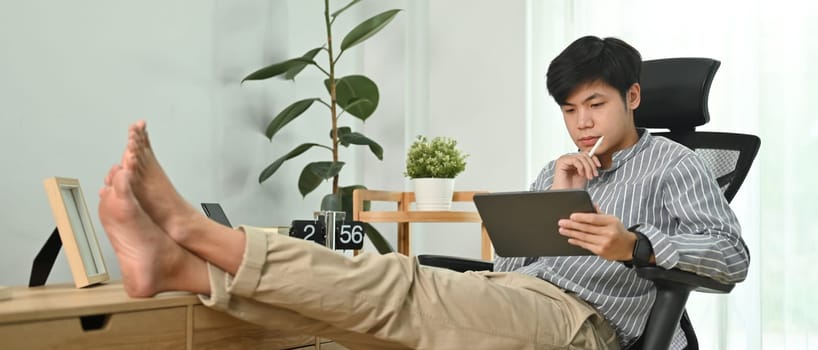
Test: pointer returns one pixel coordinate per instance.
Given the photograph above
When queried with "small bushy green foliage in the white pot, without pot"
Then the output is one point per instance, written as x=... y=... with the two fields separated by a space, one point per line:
x=438 y=158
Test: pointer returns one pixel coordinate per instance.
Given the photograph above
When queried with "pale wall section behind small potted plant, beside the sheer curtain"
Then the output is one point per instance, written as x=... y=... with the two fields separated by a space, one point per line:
x=476 y=86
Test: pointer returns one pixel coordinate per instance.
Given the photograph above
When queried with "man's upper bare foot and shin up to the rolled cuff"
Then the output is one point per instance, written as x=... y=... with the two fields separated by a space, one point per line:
x=222 y=246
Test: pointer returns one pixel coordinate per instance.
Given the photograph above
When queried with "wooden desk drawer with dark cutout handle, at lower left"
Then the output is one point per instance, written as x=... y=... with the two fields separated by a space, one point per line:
x=153 y=329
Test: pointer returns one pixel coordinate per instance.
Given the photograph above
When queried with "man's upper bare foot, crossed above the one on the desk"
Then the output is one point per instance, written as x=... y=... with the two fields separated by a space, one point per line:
x=153 y=188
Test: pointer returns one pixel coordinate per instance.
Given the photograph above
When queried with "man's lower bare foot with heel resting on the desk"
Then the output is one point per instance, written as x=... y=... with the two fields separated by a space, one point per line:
x=150 y=261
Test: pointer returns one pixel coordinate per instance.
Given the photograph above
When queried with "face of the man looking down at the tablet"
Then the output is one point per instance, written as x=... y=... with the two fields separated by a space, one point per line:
x=596 y=109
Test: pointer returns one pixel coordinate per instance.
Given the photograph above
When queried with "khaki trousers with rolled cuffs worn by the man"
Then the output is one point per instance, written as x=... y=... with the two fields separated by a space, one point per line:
x=391 y=302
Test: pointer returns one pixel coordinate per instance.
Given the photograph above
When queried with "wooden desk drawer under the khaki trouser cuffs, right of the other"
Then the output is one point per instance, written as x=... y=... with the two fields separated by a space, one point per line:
x=218 y=330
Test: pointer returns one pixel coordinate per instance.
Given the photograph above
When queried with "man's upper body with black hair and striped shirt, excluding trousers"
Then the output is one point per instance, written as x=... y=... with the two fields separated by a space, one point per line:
x=659 y=190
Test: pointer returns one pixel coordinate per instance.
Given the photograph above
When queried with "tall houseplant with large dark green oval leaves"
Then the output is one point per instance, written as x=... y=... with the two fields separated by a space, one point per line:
x=354 y=95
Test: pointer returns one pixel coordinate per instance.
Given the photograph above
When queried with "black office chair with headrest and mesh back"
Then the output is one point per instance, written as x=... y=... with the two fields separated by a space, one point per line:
x=674 y=97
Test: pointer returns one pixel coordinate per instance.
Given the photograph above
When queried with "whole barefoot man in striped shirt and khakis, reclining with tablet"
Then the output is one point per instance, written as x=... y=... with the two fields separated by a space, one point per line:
x=658 y=189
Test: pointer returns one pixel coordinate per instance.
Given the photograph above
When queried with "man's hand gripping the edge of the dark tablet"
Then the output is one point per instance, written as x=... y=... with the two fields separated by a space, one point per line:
x=602 y=234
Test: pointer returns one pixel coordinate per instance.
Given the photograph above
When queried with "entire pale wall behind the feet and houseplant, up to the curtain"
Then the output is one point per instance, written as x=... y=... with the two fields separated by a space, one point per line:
x=74 y=74
